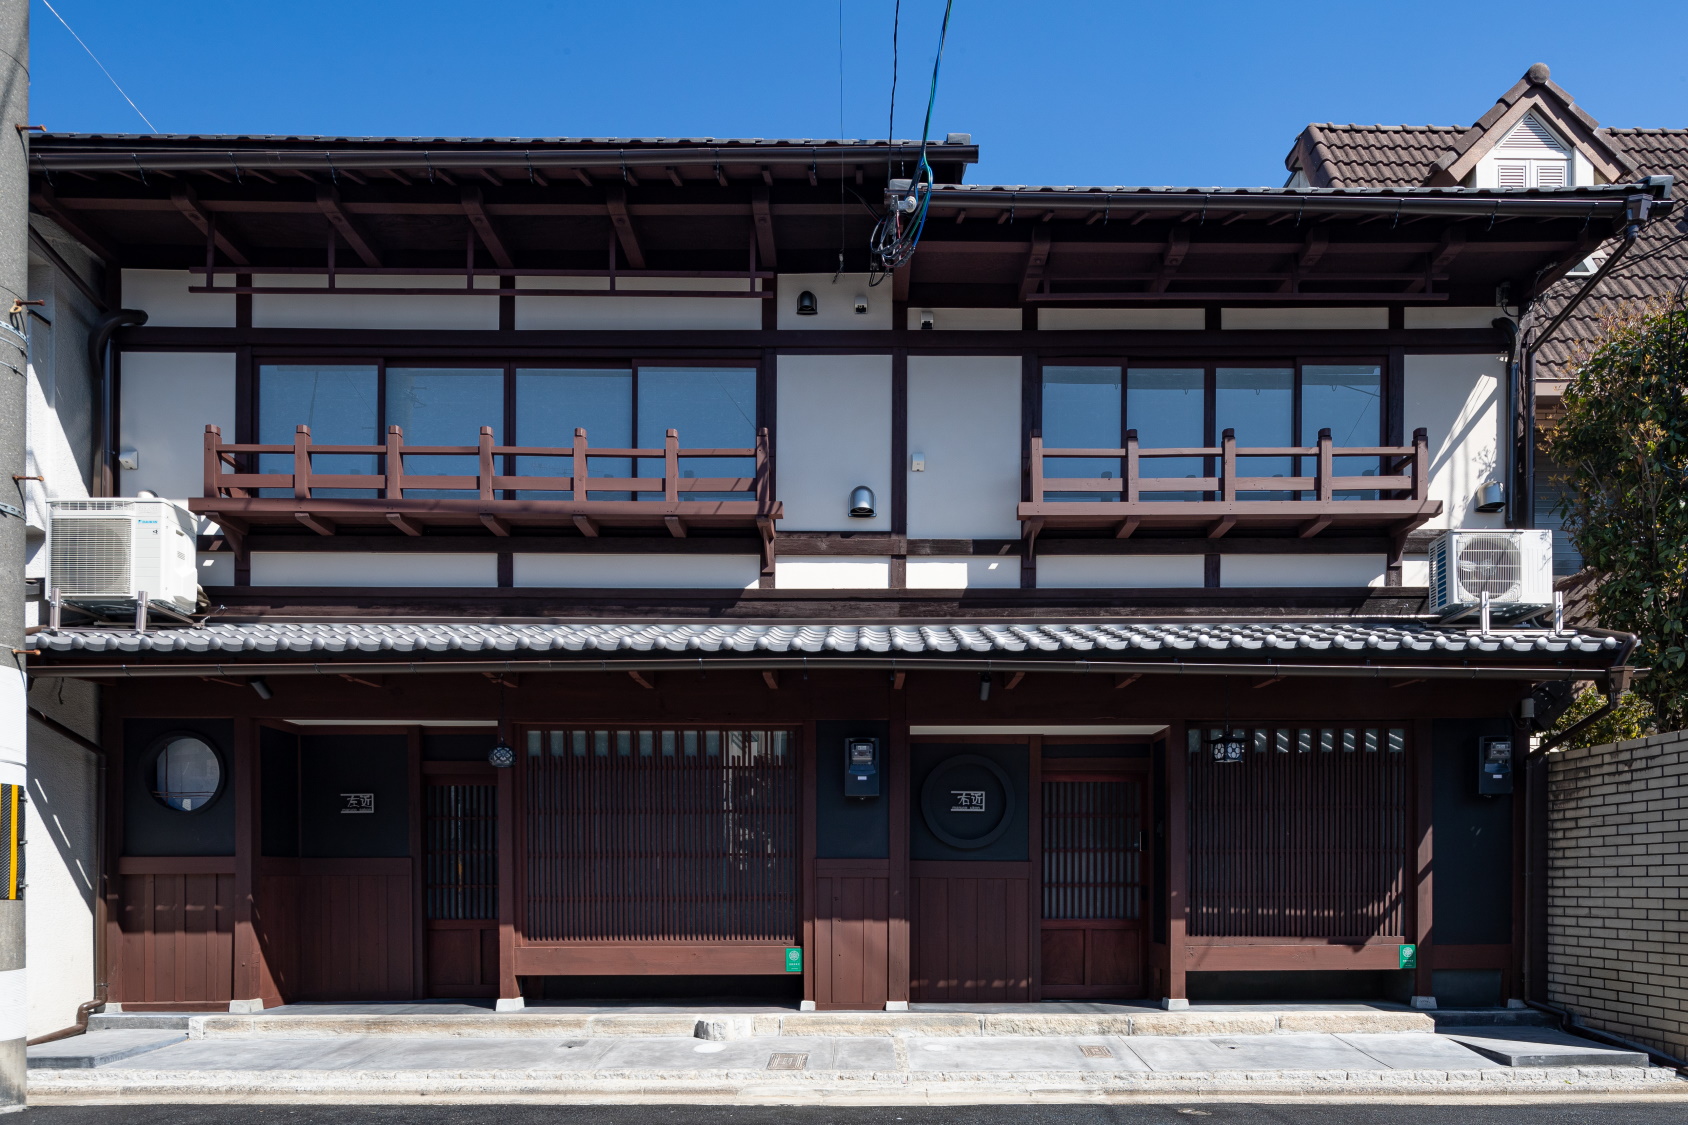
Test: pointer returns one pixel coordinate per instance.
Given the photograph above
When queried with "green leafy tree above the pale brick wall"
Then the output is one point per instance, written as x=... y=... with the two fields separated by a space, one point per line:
x=1625 y=447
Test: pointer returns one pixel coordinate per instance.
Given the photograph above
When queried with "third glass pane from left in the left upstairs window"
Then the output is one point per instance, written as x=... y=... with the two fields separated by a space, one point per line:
x=553 y=403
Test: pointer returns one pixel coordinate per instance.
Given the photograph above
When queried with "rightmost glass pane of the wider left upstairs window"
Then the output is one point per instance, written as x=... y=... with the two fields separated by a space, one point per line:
x=713 y=408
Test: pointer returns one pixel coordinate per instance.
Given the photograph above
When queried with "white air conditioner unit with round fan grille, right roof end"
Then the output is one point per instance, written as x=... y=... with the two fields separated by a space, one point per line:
x=1515 y=568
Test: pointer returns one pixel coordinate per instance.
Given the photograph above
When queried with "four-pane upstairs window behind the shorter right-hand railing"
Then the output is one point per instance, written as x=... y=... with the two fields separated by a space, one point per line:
x=1188 y=406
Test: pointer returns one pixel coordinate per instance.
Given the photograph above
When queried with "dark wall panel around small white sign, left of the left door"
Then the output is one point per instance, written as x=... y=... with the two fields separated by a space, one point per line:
x=337 y=764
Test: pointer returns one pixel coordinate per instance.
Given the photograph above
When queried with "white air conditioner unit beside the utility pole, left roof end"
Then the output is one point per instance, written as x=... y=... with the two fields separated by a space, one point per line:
x=104 y=555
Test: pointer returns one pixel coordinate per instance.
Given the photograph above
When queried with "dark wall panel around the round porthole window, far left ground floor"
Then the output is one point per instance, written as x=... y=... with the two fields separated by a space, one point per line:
x=153 y=829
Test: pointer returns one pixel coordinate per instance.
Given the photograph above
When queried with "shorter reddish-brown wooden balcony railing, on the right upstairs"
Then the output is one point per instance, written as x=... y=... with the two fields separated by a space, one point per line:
x=1392 y=501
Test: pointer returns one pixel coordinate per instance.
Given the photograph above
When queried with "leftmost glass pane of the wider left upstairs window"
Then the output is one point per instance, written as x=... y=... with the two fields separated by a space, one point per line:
x=340 y=408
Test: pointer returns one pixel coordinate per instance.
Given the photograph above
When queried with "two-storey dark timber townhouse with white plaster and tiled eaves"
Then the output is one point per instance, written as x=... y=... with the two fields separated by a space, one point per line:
x=609 y=597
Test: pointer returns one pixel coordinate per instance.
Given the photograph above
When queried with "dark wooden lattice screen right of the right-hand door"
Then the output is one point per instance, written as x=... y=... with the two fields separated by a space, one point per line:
x=1304 y=837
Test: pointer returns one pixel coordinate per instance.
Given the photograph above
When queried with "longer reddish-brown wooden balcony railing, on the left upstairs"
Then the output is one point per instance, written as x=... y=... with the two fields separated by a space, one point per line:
x=492 y=497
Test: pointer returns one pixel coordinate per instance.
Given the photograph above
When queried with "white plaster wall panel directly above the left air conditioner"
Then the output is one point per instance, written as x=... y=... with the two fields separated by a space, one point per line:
x=168 y=399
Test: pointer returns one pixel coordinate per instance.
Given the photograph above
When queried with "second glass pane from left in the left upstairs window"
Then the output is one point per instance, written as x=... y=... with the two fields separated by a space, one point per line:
x=445 y=406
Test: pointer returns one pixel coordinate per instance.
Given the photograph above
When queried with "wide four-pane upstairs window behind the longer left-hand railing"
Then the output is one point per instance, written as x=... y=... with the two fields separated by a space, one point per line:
x=620 y=408
